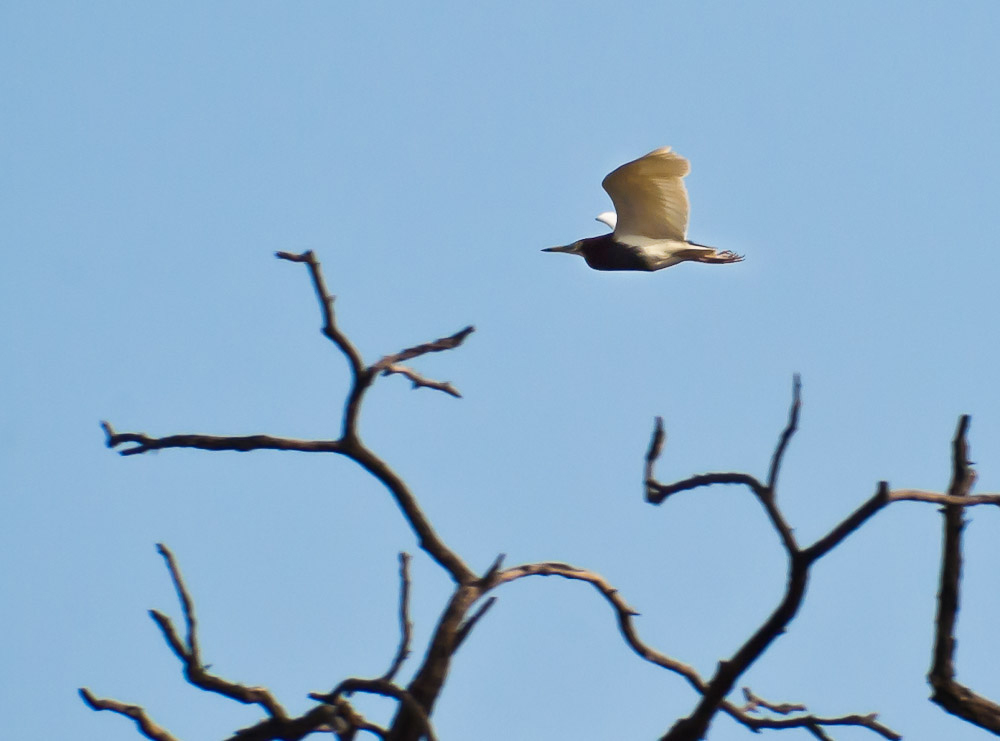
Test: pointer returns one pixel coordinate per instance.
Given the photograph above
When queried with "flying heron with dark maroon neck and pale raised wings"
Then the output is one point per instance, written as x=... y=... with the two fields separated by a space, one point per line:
x=650 y=228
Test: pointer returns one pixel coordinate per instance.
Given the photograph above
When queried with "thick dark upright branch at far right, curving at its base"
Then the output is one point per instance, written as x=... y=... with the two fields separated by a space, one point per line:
x=954 y=697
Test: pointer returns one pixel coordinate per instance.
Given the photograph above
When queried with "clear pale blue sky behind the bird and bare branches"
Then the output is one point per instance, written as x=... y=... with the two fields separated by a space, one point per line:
x=154 y=156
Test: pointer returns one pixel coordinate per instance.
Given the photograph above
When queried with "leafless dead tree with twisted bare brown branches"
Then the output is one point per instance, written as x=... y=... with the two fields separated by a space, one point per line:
x=473 y=596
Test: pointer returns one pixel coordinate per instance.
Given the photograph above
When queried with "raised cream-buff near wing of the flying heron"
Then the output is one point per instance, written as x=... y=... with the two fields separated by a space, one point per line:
x=649 y=196
